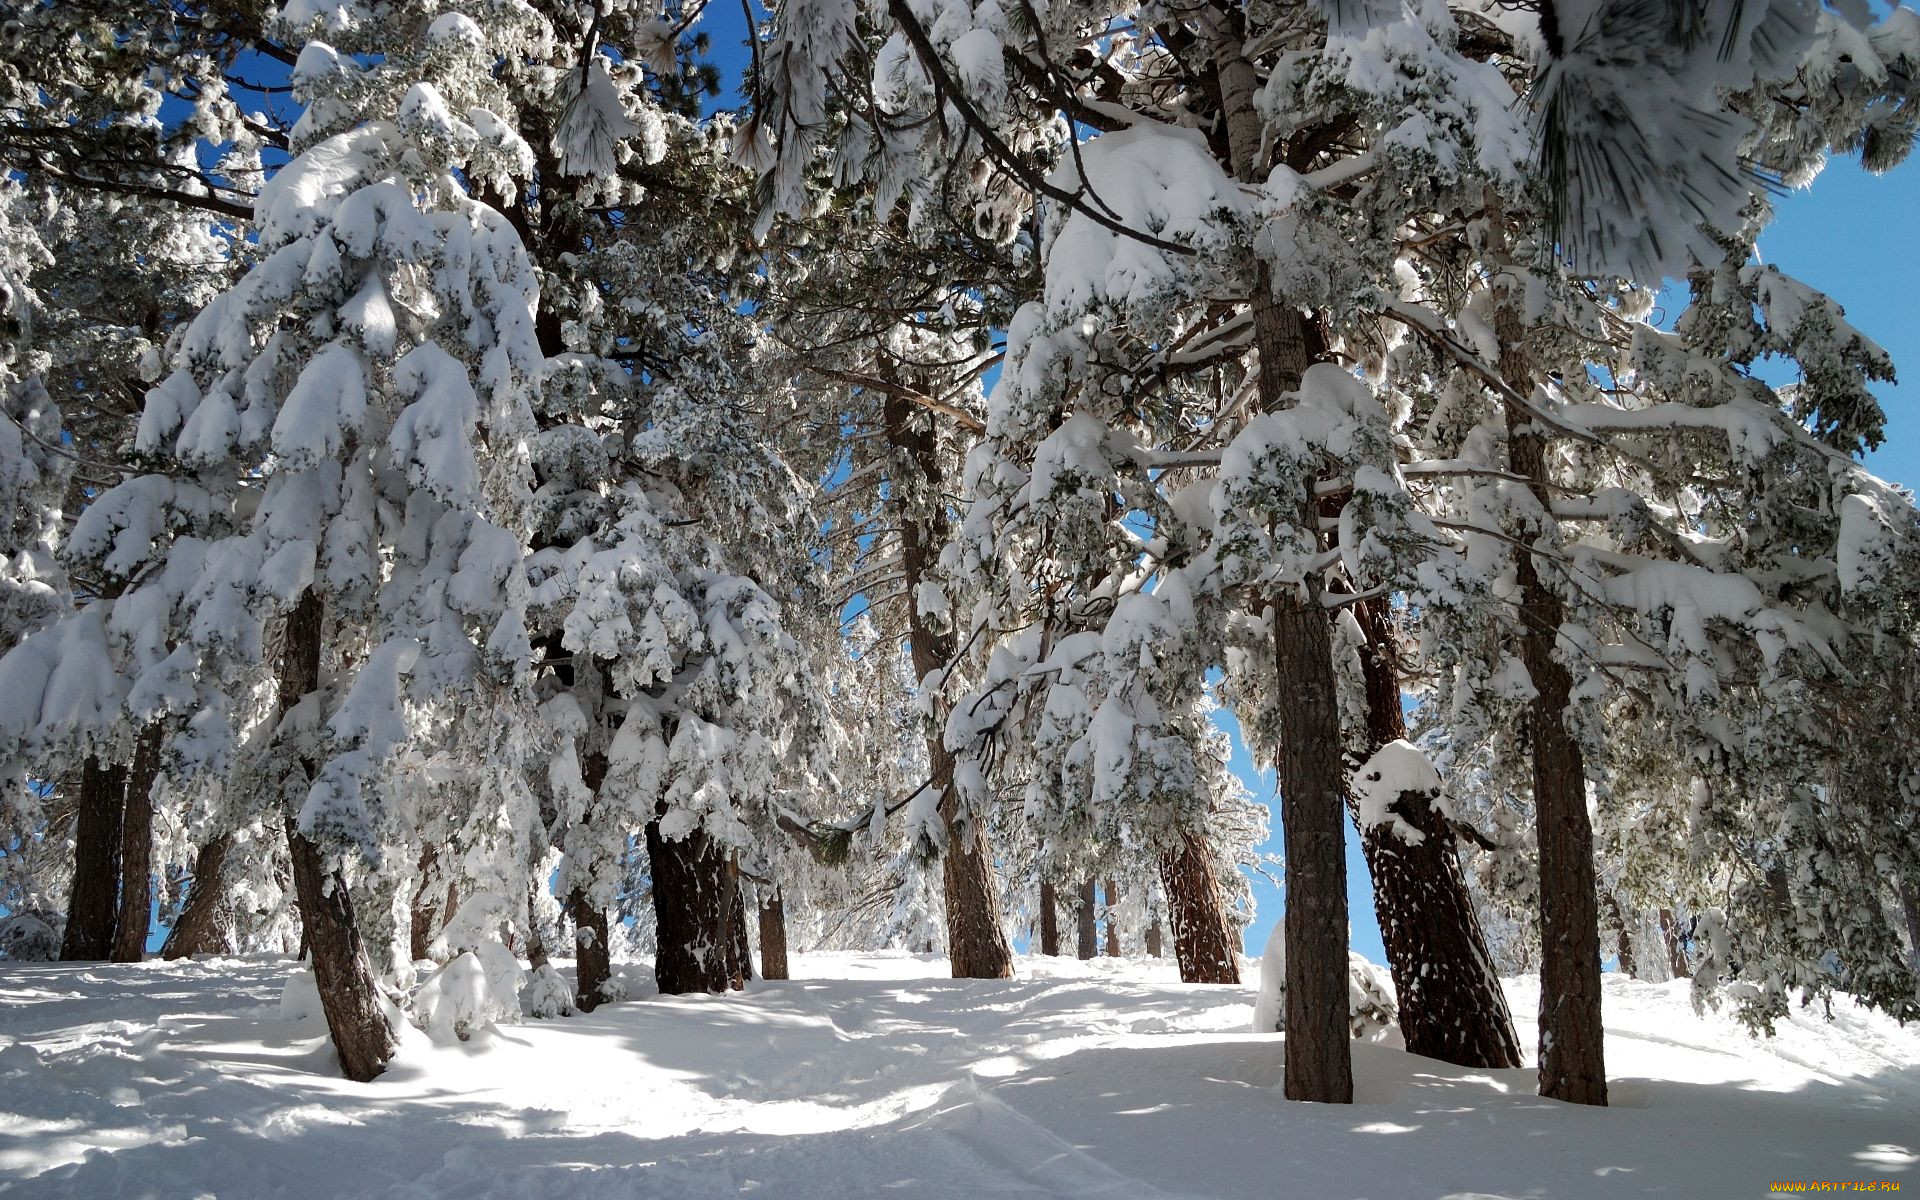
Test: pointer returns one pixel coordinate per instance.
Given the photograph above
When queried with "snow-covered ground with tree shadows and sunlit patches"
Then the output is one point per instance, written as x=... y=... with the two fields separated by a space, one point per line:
x=875 y=1076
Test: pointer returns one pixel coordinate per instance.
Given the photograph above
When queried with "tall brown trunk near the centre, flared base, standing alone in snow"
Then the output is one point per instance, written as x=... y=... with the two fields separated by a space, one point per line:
x=976 y=944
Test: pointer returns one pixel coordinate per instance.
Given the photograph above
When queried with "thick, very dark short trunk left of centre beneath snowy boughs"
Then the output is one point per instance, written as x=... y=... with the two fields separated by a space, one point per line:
x=700 y=915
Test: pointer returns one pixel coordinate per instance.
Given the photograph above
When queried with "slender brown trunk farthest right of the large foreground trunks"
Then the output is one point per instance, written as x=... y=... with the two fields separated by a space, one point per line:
x=1572 y=1034
